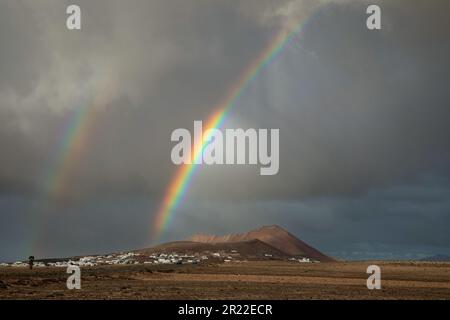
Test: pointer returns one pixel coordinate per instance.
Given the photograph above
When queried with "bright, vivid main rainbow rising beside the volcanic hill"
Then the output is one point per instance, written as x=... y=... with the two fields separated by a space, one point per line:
x=180 y=183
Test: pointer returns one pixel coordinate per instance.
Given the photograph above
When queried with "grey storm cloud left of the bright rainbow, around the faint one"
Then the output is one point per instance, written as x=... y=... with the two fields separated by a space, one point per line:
x=166 y=68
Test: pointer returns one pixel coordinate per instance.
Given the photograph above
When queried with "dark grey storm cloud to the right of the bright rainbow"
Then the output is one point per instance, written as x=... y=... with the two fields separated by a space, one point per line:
x=356 y=109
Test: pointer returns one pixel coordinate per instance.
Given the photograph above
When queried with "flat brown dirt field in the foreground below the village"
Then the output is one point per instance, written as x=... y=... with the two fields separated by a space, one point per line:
x=250 y=280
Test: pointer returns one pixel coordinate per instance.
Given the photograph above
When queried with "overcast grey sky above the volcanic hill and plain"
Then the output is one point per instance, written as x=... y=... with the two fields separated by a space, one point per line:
x=363 y=117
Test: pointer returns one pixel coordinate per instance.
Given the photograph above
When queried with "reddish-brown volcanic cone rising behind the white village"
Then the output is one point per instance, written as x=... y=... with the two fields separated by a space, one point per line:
x=274 y=236
